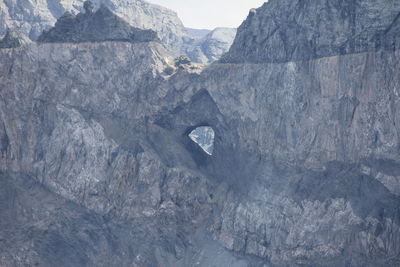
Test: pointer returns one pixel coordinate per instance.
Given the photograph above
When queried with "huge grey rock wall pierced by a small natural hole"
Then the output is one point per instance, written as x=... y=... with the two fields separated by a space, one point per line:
x=98 y=167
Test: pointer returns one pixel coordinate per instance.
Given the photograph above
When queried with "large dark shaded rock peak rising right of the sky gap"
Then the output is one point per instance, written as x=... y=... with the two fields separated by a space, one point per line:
x=295 y=30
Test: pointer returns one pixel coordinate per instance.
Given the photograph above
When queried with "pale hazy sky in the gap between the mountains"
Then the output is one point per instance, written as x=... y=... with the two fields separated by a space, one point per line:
x=208 y=14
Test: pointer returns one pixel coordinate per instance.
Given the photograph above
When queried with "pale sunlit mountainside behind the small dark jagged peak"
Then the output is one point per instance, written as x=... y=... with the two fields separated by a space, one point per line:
x=32 y=17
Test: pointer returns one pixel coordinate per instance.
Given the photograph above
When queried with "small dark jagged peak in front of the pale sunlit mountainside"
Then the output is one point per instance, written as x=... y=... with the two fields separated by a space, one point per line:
x=101 y=25
